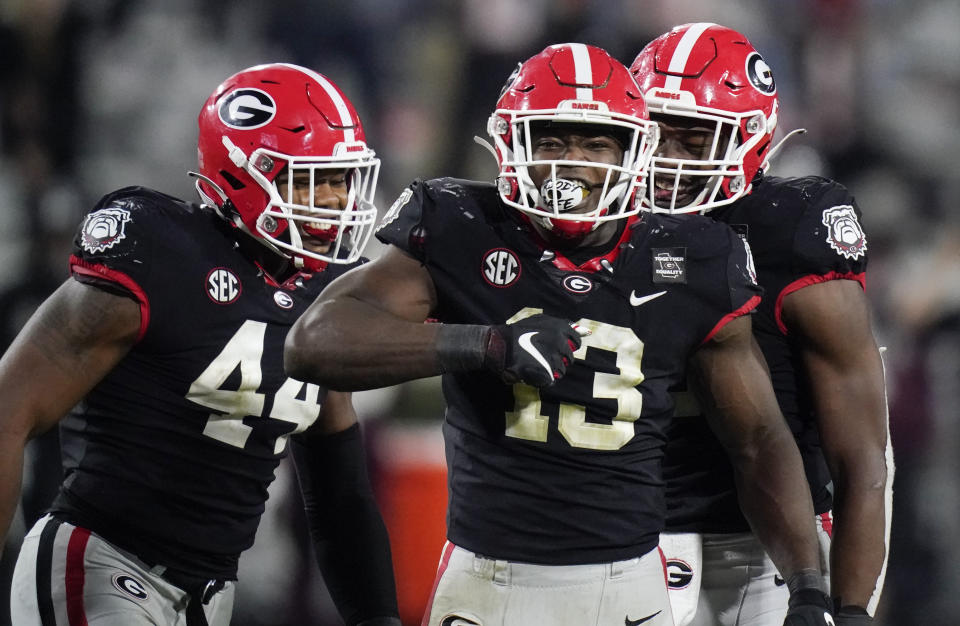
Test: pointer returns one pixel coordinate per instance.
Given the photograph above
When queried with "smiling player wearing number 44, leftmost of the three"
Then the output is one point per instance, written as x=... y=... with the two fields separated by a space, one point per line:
x=164 y=349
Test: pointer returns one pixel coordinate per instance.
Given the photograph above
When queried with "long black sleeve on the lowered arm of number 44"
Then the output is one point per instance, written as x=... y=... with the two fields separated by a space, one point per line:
x=348 y=533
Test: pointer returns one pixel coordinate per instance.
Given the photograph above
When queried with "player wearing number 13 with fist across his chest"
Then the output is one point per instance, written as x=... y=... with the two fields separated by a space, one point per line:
x=564 y=320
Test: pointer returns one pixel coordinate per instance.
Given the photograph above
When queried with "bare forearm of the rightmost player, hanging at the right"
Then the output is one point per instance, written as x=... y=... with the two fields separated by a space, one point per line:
x=859 y=542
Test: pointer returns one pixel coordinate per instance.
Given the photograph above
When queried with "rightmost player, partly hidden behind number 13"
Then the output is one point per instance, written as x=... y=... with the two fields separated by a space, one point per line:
x=716 y=102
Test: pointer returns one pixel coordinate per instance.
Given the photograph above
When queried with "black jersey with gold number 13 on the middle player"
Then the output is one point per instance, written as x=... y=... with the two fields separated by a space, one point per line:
x=569 y=473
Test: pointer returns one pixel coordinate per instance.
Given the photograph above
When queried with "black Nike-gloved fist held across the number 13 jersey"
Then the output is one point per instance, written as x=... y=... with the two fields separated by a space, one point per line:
x=535 y=350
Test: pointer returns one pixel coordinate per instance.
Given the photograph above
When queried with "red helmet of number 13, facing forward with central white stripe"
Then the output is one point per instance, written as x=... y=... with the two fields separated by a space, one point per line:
x=571 y=84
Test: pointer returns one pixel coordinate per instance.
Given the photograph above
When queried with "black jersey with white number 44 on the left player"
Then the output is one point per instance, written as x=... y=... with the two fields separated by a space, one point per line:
x=171 y=454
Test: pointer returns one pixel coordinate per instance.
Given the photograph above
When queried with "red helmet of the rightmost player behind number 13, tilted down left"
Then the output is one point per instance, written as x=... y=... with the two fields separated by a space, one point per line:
x=714 y=75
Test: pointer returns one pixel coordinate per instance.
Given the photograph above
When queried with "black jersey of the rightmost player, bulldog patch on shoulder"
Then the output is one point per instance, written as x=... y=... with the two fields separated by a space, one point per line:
x=801 y=231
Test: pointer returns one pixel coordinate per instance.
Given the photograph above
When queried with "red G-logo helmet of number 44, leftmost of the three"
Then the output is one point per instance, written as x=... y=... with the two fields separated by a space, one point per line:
x=270 y=118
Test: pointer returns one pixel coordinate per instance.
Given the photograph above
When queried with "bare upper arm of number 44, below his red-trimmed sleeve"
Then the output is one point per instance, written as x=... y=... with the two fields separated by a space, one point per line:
x=76 y=336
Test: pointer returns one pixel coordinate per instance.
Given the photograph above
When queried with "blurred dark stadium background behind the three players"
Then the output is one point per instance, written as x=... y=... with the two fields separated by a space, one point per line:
x=101 y=94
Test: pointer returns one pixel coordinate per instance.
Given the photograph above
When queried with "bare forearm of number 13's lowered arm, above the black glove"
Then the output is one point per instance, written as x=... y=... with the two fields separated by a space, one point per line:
x=775 y=499
